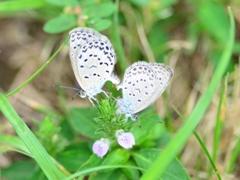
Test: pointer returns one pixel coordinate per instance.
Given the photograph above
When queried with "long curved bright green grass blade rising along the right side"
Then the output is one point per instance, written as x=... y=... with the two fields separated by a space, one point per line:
x=177 y=143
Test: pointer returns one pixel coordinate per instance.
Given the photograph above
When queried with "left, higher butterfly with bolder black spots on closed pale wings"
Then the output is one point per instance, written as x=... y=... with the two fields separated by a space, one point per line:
x=92 y=58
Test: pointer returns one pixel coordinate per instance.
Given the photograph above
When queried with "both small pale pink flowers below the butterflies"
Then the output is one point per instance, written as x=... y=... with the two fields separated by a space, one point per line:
x=124 y=139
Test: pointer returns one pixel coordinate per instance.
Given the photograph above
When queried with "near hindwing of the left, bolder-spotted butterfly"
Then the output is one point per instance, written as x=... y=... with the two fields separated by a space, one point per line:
x=95 y=65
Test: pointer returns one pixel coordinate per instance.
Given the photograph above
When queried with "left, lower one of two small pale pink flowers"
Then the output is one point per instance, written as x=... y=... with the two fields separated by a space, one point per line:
x=100 y=147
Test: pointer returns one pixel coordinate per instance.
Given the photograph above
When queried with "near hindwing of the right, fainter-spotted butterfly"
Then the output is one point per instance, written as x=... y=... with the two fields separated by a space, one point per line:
x=138 y=86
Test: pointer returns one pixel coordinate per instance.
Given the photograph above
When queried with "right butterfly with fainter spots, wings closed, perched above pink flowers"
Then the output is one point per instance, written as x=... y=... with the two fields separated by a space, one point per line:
x=142 y=85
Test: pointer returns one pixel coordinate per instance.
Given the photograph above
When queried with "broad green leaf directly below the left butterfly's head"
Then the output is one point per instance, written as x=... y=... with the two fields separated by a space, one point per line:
x=82 y=120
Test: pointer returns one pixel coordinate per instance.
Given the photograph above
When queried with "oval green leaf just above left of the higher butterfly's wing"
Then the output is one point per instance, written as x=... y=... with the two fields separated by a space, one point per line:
x=60 y=24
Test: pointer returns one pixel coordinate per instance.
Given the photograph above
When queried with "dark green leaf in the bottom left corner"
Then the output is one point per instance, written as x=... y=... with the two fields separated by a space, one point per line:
x=22 y=170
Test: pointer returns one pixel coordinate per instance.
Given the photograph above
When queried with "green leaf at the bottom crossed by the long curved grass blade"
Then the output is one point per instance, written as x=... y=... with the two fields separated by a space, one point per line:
x=145 y=157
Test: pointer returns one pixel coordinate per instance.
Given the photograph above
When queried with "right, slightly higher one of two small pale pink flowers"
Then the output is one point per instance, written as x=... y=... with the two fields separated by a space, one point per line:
x=126 y=140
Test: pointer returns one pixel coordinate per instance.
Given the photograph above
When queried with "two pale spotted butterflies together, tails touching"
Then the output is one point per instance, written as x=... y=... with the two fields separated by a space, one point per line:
x=93 y=58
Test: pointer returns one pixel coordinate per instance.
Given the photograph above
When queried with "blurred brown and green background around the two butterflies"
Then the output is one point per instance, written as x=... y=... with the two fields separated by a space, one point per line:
x=189 y=36
